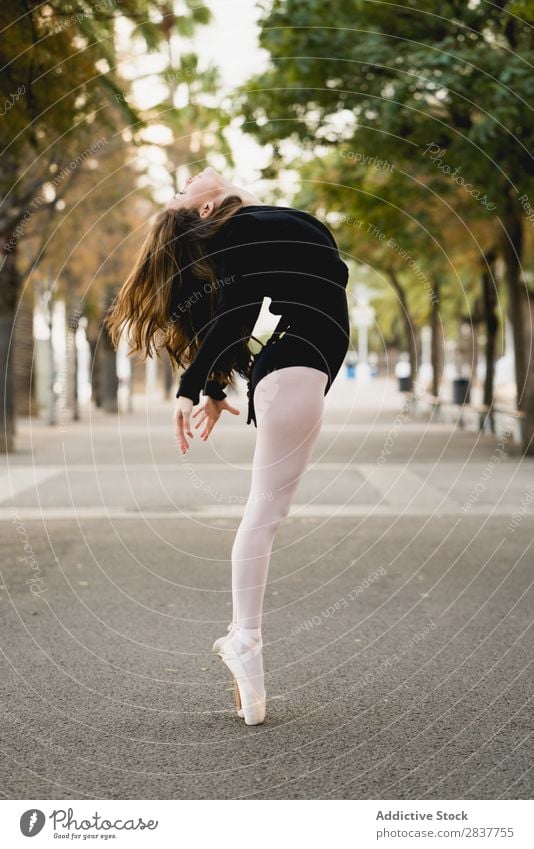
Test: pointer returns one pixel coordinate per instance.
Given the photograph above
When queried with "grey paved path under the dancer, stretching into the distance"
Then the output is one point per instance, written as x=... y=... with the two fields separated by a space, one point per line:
x=397 y=616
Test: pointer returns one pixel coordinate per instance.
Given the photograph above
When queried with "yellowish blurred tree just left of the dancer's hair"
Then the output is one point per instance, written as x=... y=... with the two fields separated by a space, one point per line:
x=87 y=252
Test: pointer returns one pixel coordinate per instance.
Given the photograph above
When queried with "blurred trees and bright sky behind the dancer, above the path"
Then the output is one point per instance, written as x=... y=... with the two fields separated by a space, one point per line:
x=408 y=134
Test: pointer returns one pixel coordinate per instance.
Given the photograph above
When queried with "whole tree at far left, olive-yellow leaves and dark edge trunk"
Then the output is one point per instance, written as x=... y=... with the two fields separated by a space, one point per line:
x=63 y=96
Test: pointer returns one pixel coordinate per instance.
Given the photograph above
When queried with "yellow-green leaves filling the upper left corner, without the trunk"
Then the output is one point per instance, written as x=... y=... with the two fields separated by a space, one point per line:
x=61 y=89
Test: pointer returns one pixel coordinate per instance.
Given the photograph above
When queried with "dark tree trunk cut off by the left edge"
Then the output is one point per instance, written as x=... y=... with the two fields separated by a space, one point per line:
x=9 y=294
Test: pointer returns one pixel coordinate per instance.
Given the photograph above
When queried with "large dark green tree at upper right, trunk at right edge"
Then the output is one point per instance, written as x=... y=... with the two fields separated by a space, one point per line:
x=442 y=95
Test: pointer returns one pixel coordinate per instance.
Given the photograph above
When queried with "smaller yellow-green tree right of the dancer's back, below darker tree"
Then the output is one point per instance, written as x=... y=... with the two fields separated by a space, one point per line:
x=396 y=227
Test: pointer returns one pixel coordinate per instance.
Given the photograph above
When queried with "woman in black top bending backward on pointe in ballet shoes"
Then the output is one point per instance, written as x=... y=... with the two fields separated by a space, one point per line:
x=196 y=290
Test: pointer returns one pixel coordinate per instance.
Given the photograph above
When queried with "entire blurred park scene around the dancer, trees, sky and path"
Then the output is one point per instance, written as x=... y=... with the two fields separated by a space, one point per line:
x=398 y=610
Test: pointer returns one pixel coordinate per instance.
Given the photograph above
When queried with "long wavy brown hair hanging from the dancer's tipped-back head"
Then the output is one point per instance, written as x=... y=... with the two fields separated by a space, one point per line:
x=174 y=257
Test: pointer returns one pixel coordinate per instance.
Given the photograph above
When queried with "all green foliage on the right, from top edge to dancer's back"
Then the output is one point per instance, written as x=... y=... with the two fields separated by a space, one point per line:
x=443 y=93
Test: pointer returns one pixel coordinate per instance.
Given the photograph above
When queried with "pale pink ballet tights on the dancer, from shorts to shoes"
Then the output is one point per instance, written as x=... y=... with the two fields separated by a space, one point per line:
x=289 y=404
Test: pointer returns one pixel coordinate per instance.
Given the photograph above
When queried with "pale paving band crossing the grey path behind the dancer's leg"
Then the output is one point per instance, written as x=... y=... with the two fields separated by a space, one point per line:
x=401 y=489
